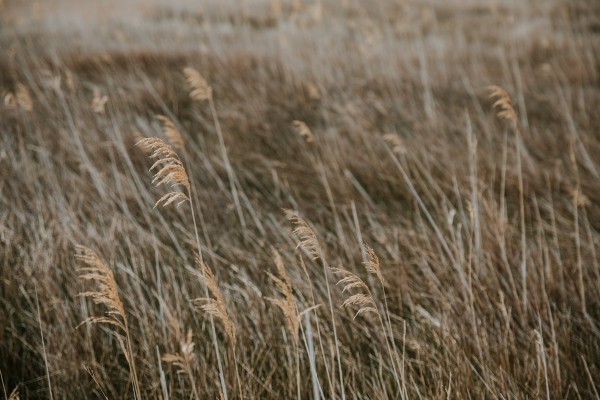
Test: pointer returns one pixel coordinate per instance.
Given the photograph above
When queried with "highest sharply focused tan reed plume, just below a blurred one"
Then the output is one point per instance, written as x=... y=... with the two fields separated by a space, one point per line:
x=171 y=170
